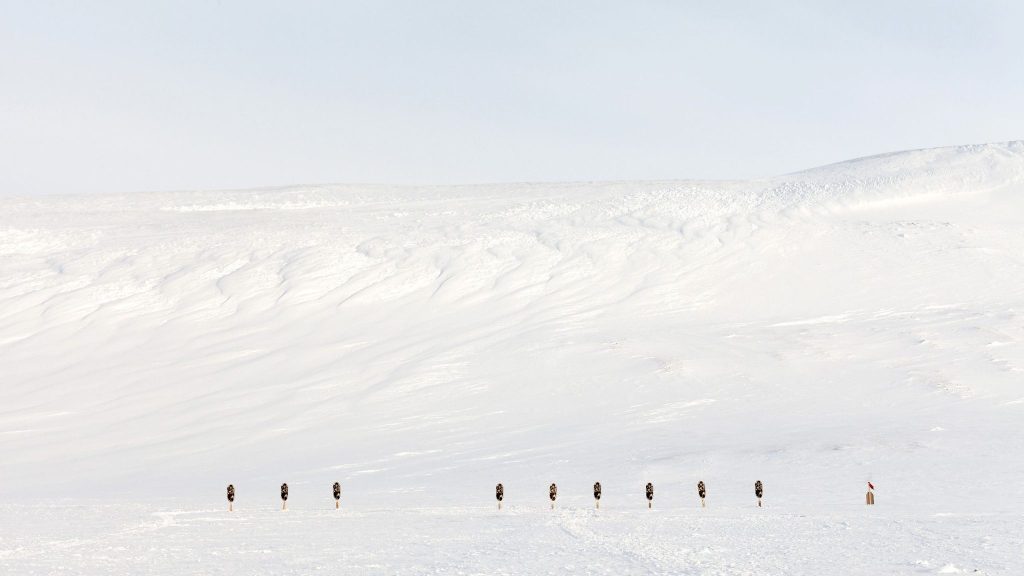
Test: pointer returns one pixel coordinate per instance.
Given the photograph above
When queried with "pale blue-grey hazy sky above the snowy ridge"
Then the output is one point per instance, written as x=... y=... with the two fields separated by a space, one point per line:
x=119 y=97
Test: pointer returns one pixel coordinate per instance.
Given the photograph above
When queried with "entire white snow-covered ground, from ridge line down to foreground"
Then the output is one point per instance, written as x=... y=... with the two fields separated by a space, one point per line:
x=859 y=322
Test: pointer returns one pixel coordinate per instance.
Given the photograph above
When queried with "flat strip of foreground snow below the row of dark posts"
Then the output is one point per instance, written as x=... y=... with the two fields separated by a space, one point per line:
x=135 y=540
